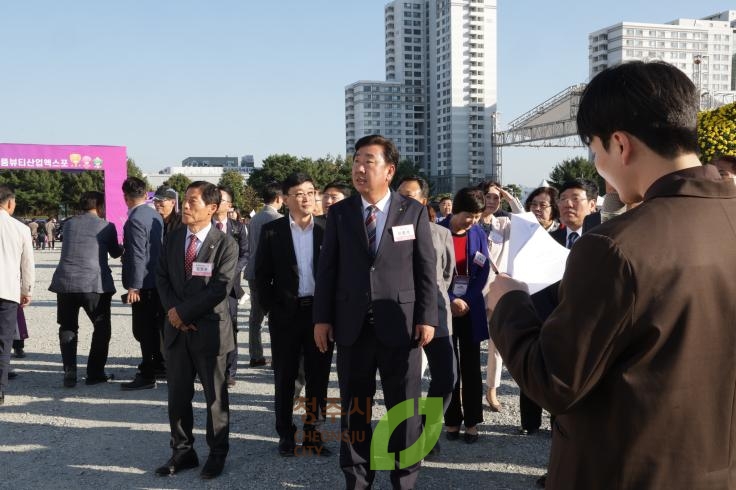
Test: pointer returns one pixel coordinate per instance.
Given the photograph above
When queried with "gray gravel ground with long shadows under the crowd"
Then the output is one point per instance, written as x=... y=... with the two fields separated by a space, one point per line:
x=102 y=437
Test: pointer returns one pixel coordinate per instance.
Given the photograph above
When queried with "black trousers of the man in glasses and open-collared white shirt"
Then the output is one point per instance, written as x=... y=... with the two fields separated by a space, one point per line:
x=289 y=339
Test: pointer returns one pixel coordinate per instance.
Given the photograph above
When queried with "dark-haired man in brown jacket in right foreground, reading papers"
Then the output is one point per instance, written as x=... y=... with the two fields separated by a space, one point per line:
x=637 y=361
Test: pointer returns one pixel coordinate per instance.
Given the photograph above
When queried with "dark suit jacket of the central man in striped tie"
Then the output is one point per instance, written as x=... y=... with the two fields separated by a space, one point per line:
x=399 y=284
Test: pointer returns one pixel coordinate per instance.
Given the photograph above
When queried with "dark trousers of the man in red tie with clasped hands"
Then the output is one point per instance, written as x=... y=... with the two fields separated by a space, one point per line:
x=184 y=361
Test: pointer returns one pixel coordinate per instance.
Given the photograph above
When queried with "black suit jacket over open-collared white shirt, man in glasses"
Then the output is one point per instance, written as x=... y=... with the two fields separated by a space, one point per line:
x=277 y=274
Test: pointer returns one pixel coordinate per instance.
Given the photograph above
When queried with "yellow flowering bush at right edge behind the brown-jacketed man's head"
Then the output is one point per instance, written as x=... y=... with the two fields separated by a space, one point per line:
x=717 y=132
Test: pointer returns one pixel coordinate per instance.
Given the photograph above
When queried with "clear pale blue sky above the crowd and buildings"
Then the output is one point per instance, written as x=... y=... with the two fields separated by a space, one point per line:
x=170 y=79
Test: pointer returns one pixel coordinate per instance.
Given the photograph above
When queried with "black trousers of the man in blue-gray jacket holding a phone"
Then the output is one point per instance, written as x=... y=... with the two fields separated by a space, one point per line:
x=147 y=325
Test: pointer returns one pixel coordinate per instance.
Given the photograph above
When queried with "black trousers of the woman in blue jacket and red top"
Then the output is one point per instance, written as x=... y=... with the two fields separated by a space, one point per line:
x=467 y=397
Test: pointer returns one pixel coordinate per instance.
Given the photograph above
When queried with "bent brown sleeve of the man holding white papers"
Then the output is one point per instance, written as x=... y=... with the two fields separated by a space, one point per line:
x=557 y=363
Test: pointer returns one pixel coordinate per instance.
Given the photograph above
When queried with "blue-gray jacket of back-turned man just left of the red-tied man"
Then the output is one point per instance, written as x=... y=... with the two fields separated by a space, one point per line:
x=142 y=236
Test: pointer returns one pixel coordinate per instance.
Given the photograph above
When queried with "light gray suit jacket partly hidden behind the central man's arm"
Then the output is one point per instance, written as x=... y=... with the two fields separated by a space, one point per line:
x=445 y=250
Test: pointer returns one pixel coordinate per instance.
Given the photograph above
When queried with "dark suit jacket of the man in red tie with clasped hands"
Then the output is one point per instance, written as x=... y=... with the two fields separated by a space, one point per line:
x=201 y=301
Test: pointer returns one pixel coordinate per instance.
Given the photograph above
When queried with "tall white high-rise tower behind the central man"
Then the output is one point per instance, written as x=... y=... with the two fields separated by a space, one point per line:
x=440 y=95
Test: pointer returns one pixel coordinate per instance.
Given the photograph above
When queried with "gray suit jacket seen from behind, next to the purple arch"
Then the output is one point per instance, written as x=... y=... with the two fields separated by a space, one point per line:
x=83 y=268
